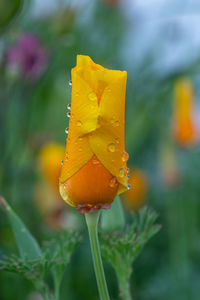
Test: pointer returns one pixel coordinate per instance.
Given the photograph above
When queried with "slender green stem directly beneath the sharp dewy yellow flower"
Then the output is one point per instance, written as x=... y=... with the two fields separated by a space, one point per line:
x=92 y=223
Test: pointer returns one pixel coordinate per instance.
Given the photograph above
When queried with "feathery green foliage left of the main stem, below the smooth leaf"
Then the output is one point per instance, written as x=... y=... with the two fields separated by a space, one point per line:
x=56 y=253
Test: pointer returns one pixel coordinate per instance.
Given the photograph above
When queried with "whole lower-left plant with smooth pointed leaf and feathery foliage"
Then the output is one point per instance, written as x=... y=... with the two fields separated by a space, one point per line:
x=34 y=263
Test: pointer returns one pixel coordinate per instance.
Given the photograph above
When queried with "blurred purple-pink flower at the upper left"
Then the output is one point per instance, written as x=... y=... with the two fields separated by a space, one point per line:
x=29 y=56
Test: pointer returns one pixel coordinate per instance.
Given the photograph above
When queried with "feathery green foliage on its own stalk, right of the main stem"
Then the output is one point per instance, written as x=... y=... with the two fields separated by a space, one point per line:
x=120 y=249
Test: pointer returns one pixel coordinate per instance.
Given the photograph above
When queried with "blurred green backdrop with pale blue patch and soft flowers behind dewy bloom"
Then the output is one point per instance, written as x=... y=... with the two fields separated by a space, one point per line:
x=158 y=43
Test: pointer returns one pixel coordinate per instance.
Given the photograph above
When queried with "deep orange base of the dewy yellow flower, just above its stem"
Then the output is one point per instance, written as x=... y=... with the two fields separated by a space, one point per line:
x=92 y=184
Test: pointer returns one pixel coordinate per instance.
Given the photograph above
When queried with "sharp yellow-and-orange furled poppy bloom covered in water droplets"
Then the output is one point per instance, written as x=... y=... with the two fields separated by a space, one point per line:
x=94 y=168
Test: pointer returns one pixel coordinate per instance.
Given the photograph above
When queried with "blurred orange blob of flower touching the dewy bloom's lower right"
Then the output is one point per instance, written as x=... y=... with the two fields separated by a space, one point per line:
x=135 y=197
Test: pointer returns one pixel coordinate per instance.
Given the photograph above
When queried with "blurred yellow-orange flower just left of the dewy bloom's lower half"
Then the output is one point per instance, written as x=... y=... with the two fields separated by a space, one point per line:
x=47 y=197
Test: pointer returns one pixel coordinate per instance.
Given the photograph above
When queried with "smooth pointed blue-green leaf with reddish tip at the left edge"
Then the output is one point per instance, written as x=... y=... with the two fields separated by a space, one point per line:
x=26 y=243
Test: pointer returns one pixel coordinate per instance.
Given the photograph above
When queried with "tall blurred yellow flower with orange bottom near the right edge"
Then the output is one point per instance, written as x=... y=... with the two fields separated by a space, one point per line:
x=185 y=128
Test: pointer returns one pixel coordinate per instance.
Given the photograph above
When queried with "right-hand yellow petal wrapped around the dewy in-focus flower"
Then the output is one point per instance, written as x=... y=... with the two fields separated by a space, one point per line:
x=107 y=142
